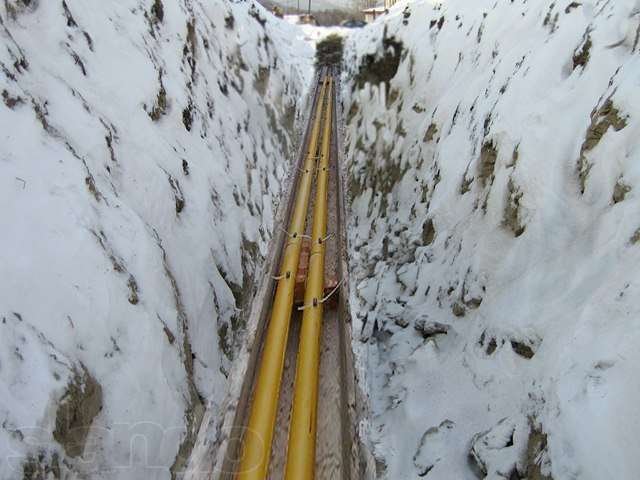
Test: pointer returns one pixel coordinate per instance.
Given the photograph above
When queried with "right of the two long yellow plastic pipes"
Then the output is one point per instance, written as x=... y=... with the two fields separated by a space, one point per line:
x=301 y=453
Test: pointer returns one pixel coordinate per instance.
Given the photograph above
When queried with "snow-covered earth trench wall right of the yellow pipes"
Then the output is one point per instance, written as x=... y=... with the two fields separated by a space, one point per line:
x=494 y=169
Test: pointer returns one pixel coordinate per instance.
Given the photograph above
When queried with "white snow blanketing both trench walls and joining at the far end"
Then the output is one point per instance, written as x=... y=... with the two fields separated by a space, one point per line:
x=493 y=228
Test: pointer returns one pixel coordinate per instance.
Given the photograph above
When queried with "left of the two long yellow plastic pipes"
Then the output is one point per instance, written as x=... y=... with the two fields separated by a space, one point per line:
x=256 y=448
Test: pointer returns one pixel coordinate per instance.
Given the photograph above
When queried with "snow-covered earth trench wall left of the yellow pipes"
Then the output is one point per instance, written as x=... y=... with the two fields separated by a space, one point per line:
x=143 y=148
